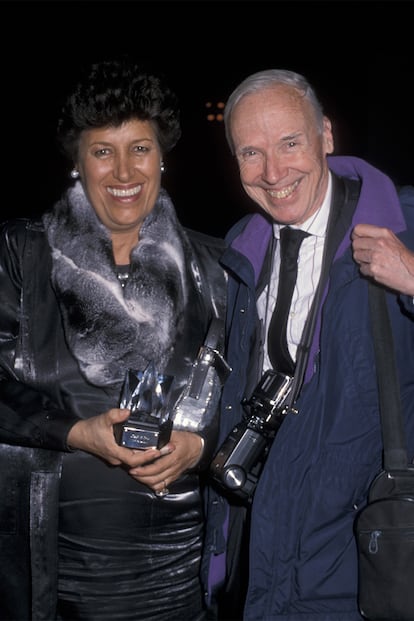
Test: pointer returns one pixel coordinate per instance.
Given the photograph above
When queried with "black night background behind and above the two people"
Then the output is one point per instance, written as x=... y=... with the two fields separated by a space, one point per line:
x=358 y=55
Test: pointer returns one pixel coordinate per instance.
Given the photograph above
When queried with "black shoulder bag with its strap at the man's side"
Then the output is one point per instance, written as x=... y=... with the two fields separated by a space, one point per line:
x=384 y=528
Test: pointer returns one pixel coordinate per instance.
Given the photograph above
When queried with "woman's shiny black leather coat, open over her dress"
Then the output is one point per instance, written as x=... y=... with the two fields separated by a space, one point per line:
x=42 y=394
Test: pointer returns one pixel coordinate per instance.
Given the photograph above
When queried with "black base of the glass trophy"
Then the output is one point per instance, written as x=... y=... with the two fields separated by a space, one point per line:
x=142 y=435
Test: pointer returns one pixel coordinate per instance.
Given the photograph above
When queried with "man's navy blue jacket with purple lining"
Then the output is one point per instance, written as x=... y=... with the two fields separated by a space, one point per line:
x=303 y=563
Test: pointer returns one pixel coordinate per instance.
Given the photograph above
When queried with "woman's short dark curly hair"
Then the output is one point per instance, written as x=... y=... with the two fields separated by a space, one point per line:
x=112 y=92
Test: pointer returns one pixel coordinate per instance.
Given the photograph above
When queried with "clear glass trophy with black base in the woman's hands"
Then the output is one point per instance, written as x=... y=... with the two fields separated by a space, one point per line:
x=146 y=395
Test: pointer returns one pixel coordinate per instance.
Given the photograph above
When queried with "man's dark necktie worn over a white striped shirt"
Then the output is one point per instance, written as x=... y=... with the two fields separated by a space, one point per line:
x=290 y=241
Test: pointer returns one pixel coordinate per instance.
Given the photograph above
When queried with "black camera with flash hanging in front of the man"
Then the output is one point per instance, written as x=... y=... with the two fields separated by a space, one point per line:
x=238 y=463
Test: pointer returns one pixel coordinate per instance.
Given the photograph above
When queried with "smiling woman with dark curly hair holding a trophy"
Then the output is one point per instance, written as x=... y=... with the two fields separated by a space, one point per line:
x=99 y=519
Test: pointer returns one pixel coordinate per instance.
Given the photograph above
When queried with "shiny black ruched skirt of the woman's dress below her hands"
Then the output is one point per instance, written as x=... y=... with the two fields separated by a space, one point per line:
x=125 y=553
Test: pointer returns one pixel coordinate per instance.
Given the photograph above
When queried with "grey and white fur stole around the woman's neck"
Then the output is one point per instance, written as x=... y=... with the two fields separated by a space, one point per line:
x=107 y=328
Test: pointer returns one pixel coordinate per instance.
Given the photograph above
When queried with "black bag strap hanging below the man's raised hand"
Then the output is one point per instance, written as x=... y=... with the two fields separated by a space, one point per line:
x=393 y=436
